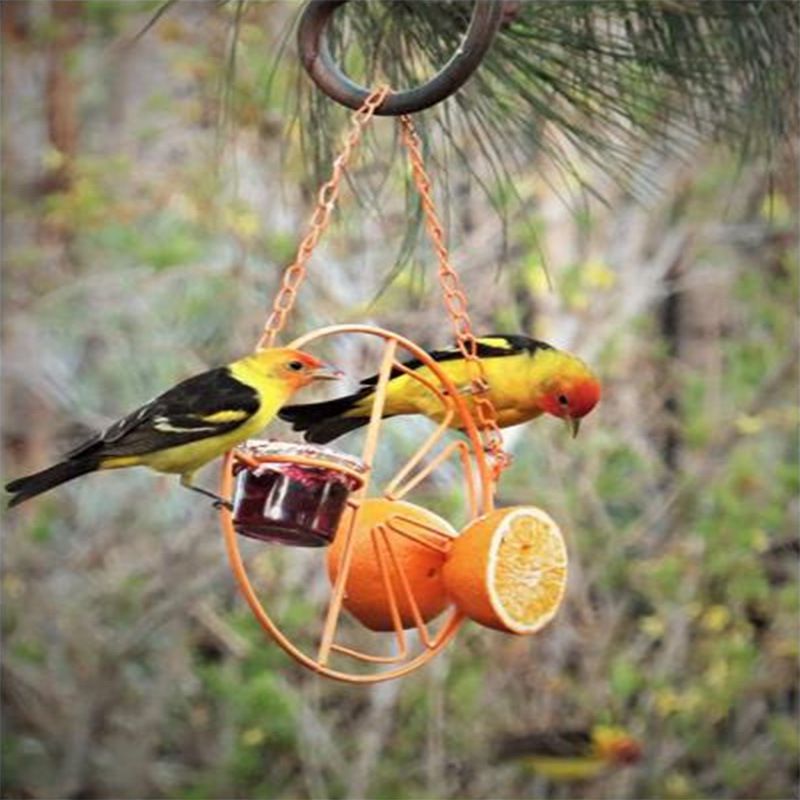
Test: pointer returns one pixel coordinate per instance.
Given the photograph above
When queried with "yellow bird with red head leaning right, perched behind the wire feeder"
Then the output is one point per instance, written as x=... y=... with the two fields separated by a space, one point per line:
x=526 y=378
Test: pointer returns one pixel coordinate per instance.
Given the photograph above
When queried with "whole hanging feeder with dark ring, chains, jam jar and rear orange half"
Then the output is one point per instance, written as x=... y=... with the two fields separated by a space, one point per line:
x=342 y=502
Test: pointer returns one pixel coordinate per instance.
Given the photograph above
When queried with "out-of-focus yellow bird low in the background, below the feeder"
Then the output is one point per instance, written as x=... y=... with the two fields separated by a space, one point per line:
x=573 y=755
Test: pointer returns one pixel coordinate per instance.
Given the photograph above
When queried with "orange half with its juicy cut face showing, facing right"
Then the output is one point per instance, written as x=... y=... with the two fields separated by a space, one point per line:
x=508 y=569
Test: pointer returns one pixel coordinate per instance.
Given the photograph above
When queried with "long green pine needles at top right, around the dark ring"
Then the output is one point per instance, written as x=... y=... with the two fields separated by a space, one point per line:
x=679 y=68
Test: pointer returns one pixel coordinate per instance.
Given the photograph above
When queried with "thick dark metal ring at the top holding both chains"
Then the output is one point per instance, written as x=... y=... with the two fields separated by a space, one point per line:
x=487 y=15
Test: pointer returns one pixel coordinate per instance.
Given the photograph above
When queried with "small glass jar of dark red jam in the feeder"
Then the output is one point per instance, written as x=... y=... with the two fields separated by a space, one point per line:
x=282 y=501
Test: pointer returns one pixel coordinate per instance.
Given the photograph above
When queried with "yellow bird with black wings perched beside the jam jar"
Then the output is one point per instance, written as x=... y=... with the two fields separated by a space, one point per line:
x=190 y=424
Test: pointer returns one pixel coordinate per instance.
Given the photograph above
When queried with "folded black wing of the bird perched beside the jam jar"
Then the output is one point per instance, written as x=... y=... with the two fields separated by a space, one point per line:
x=208 y=404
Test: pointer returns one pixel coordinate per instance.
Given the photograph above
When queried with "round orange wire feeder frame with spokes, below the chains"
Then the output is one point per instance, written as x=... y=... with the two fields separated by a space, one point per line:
x=466 y=453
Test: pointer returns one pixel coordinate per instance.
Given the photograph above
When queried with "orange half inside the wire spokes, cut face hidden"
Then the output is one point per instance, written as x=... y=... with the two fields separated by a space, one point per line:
x=398 y=550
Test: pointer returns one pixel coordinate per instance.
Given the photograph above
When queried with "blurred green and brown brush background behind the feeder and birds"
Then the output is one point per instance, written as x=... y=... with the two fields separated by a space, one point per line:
x=158 y=172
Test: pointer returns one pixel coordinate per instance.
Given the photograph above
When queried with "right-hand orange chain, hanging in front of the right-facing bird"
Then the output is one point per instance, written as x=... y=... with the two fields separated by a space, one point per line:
x=455 y=301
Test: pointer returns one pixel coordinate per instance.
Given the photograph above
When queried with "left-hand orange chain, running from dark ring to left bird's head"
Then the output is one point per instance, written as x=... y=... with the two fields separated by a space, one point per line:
x=295 y=273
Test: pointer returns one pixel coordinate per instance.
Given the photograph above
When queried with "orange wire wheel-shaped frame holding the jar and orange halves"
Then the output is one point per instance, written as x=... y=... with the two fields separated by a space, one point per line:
x=480 y=490
